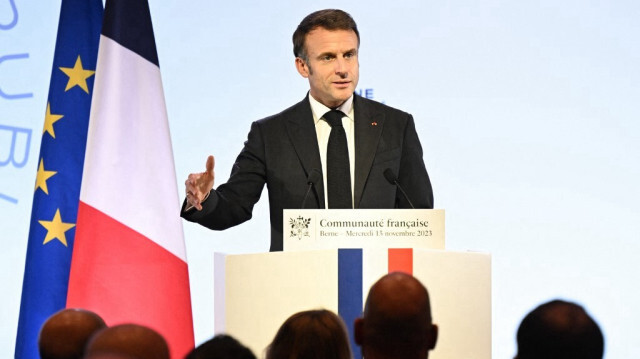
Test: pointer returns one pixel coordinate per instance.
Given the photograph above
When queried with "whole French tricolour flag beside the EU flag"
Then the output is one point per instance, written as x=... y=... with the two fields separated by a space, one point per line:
x=129 y=258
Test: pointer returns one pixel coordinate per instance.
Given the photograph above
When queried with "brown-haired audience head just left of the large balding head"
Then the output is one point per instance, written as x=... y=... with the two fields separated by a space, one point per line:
x=313 y=334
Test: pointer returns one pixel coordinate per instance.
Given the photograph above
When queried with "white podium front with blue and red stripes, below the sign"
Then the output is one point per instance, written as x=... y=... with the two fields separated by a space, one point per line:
x=255 y=293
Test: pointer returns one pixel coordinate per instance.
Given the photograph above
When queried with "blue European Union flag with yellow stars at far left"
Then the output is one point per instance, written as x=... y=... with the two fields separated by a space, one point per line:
x=57 y=187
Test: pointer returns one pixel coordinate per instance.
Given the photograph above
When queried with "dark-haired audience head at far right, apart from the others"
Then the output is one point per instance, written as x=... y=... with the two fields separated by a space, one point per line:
x=559 y=329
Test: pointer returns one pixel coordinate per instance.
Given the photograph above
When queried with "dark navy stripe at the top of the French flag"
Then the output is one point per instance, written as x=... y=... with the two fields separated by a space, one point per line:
x=128 y=22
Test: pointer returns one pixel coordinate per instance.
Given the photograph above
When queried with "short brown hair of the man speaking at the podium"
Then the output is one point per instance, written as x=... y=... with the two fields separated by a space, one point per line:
x=330 y=19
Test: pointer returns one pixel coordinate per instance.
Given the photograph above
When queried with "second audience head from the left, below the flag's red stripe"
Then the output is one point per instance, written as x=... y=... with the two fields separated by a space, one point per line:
x=135 y=341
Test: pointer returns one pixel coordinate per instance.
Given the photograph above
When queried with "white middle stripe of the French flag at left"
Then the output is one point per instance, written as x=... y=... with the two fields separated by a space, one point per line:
x=134 y=181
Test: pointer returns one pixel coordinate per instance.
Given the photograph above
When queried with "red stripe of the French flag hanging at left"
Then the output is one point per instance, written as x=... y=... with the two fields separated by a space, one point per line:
x=127 y=278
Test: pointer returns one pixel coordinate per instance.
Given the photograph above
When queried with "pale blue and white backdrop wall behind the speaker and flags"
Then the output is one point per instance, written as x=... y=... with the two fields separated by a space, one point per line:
x=527 y=111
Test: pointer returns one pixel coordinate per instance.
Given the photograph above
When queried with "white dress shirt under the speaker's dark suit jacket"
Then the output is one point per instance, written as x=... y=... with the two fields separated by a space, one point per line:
x=323 y=130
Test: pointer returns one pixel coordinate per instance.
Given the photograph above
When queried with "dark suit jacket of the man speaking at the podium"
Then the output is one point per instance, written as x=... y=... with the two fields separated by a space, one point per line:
x=282 y=150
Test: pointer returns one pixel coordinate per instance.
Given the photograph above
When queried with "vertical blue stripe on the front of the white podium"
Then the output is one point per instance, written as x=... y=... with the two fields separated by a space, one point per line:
x=350 y=291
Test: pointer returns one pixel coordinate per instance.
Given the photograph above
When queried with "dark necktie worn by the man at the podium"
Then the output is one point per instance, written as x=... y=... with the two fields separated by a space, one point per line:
x=338 y=173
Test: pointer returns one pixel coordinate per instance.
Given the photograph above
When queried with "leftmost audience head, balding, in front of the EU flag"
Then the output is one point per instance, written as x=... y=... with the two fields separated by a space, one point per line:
x=65 y=334
